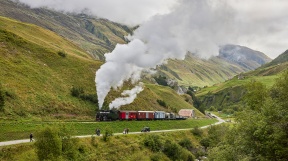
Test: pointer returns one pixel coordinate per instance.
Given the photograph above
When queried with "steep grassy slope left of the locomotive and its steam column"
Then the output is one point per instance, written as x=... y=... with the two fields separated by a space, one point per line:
x=37 y=80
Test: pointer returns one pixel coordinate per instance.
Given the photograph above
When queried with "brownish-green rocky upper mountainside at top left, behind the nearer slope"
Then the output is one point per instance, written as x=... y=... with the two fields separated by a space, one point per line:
x=97 y=36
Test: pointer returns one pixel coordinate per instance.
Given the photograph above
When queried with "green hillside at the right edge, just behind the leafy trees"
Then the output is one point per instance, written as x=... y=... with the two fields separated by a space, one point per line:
x=228 y=95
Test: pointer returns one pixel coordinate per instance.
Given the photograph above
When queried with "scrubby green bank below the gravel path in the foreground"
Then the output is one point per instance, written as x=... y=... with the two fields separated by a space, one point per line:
x=182 y=145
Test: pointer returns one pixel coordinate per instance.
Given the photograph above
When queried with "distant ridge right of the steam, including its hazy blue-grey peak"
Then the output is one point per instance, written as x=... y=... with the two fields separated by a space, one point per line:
x=232 y=60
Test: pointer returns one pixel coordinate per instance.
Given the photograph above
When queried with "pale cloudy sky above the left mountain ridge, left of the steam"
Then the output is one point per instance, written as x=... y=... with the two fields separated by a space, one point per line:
x=131 y=12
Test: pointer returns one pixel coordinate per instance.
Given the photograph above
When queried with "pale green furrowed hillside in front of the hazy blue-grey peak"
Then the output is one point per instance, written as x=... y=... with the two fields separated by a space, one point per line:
x=194 y=71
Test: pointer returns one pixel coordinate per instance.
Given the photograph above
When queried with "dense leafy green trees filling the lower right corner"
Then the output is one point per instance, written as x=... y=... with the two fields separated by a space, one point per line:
x=261 y=132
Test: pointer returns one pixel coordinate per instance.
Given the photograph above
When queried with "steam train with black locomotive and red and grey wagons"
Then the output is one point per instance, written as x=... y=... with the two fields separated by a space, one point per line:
x=112 y=115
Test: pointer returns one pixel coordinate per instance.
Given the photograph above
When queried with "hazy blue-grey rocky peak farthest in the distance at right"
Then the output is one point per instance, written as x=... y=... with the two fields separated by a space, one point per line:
x=243 y=56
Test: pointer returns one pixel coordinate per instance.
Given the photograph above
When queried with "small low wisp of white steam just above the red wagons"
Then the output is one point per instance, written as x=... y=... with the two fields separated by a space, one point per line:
x=131 y=95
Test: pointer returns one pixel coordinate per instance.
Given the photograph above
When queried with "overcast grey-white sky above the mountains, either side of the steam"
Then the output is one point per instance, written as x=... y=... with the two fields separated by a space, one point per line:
x=258 y=24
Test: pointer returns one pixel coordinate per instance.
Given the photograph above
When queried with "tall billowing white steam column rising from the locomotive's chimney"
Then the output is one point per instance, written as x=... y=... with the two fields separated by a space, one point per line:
x=164 y=37
